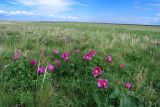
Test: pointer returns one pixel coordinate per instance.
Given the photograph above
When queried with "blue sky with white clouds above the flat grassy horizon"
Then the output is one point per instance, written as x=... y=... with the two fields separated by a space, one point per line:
x=107 y=11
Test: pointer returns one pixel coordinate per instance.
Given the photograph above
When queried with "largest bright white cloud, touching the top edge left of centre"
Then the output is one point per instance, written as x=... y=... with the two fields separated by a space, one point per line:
x=46 y=7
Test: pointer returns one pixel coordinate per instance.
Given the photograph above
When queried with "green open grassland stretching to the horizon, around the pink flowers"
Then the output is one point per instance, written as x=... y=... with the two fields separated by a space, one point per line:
x=72 y=83
